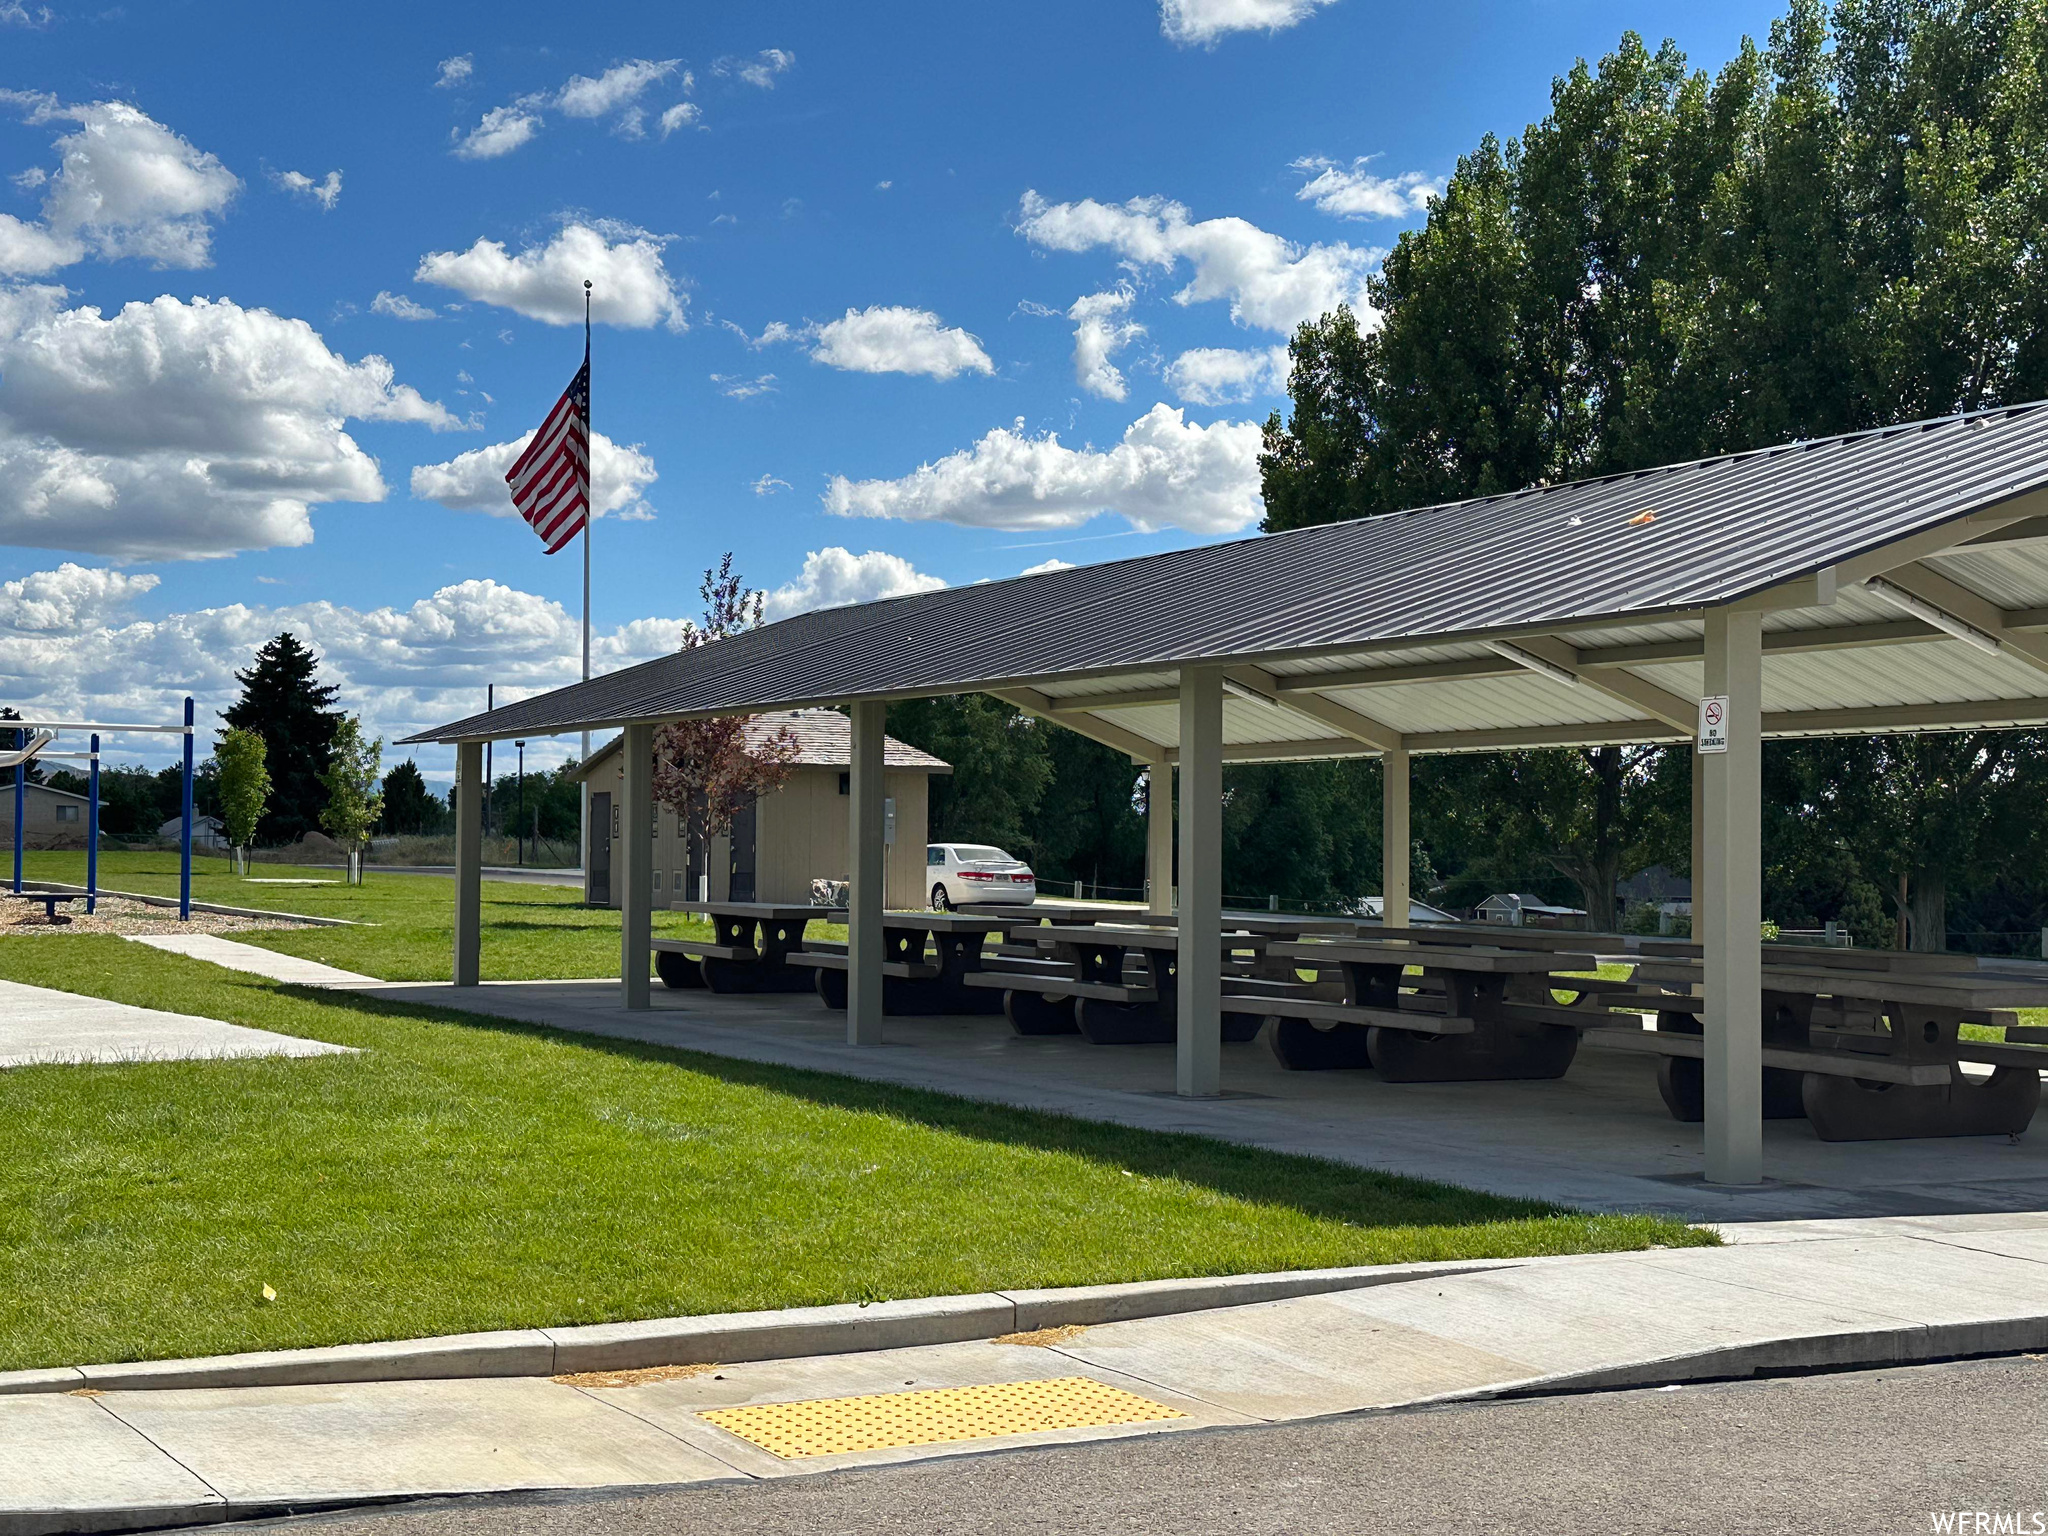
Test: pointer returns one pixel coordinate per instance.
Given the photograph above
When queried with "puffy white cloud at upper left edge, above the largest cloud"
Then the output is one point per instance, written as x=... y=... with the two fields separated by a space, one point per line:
x=126 y=185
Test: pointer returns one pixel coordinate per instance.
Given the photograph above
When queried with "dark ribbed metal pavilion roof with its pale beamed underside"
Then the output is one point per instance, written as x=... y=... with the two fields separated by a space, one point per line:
x=1390 y=632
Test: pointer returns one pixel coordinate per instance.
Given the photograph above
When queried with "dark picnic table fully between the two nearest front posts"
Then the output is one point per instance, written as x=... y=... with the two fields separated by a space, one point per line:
x=1453 y=1025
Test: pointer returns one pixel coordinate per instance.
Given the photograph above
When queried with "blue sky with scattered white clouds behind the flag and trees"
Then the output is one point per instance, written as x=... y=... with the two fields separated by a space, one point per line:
x=833 y=243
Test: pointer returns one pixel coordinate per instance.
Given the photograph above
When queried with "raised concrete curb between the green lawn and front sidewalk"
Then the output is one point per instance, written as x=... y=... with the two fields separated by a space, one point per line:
x=726 y=1338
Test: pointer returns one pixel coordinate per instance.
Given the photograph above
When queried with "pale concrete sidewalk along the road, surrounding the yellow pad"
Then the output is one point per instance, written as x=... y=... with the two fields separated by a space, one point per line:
x=1785 y=1297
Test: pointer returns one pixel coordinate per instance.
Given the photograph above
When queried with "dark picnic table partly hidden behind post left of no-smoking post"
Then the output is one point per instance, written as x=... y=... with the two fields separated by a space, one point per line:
x=1115 y=986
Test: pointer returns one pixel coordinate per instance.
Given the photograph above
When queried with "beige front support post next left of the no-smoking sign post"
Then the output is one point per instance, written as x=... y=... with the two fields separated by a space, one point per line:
x=1199 y=982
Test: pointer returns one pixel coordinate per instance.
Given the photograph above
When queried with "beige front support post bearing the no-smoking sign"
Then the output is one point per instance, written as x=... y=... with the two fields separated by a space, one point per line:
x=1734 y=906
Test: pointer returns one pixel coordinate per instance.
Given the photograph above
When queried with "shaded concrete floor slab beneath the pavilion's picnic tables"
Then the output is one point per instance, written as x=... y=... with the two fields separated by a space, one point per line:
x=1601 y=1138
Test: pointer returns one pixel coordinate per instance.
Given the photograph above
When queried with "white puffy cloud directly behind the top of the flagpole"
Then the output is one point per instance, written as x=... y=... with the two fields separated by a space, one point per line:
x=632 y=286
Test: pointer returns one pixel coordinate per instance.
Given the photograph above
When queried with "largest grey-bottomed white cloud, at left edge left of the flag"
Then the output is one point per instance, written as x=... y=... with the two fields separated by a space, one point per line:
x=175 y=431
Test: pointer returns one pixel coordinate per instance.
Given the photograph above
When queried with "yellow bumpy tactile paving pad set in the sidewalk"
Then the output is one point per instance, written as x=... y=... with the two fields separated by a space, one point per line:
x=828 y=1426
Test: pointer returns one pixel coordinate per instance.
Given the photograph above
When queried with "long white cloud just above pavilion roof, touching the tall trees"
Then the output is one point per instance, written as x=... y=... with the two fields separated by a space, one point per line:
x=1166 y=474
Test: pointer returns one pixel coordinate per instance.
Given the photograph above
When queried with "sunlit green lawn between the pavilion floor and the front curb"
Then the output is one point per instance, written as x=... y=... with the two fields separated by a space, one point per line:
x=476 y=1175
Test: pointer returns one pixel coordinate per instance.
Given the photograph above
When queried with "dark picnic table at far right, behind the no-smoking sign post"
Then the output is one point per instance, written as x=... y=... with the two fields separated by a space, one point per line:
x=1863 y=1043
